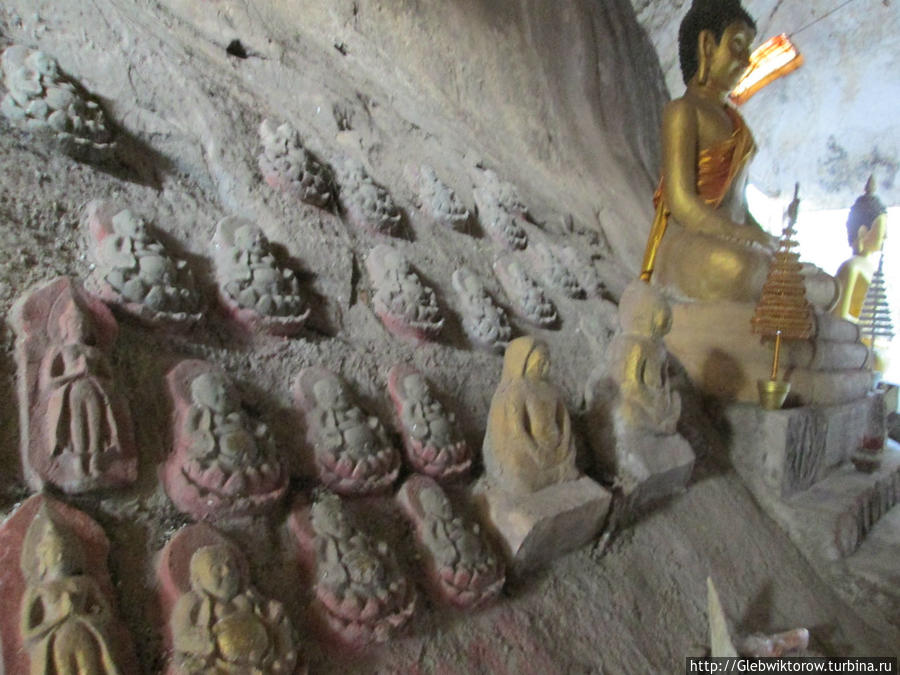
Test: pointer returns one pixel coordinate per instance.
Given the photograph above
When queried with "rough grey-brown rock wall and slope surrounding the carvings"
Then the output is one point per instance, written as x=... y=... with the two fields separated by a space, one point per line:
x=531 y=89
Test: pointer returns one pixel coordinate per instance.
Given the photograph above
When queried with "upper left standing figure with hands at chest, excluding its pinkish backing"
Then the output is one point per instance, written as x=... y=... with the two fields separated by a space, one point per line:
x=81 y=424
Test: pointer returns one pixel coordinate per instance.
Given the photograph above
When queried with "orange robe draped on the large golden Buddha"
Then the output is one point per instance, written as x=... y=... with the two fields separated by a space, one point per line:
x=717 y=167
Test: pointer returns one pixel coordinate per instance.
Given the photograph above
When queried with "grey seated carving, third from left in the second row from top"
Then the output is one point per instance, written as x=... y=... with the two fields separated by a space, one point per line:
x=405 y=305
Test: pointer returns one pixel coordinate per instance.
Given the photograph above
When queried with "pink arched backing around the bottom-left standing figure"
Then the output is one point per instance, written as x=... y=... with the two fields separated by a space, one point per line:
x=95 y=545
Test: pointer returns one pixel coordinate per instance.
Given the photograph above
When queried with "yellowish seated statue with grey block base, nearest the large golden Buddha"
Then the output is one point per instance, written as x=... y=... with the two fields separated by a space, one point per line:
x=632 y=409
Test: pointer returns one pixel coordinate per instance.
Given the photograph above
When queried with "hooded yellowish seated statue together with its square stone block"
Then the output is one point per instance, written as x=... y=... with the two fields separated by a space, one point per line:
x=532 y=494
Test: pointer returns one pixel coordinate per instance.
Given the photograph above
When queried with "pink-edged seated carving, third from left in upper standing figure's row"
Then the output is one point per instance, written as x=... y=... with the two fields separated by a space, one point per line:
x=353 y=455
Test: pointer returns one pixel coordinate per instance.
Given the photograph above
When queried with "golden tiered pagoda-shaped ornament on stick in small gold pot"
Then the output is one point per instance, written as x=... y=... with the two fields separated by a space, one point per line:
x=783 y=312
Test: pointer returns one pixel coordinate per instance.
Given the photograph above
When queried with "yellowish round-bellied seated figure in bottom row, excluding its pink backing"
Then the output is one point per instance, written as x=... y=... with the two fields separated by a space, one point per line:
x=222 y=625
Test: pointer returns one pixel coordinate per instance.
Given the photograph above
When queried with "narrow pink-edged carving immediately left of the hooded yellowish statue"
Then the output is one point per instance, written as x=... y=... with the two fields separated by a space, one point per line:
x=432 y=442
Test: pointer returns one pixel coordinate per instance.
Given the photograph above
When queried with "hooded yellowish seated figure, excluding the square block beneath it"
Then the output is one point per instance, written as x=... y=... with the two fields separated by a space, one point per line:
x=529 y=443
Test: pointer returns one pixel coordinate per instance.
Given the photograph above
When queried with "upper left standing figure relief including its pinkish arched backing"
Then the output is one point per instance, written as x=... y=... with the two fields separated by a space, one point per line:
x=76 y=431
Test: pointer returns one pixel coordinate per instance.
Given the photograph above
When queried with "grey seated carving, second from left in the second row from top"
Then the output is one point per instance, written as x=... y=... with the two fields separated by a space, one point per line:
x=254 y=287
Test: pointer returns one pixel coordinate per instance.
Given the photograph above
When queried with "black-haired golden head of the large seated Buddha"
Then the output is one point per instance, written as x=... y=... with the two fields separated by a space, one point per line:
x=714 y=43
